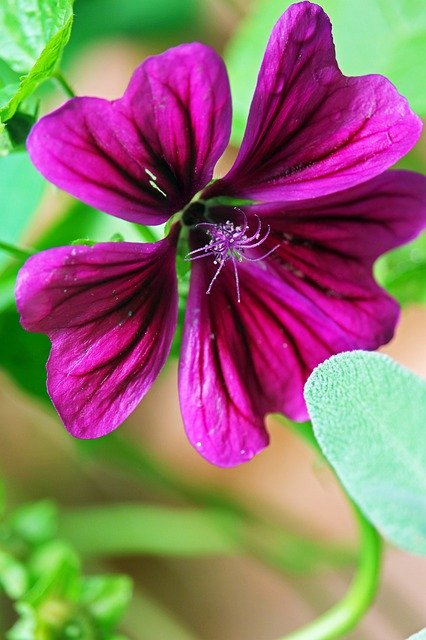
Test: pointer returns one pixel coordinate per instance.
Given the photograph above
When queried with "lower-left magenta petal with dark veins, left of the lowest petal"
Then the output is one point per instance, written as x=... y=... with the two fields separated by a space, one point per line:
x=110 y=311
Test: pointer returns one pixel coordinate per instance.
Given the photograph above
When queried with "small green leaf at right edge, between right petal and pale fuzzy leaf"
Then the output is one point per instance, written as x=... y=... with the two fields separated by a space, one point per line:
x=402 y=272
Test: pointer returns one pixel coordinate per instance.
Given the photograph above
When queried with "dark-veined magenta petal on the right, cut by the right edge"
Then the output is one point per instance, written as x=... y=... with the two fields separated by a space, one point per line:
x=326 y=249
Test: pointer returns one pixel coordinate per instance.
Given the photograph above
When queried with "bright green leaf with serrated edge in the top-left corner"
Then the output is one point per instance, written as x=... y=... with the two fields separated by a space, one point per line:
x=33 y=36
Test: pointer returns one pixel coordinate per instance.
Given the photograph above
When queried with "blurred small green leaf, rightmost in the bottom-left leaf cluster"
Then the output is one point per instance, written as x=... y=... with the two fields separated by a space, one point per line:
x=106 y=598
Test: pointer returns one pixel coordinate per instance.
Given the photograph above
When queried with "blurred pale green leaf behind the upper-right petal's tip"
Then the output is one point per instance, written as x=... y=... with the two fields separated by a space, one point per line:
x=370 y=37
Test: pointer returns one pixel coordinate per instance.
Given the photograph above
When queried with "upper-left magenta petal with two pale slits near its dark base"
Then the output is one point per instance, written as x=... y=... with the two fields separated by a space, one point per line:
x=144 y=156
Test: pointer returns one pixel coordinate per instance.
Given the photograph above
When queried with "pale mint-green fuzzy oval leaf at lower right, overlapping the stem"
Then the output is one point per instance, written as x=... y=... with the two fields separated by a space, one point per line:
x=368 y=417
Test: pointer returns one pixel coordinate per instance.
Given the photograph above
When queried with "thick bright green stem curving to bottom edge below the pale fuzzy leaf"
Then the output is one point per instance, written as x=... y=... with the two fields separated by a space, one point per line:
x=345 y=615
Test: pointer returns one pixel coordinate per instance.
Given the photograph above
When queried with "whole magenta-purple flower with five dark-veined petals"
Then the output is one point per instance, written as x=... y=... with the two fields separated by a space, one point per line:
x=281 y=249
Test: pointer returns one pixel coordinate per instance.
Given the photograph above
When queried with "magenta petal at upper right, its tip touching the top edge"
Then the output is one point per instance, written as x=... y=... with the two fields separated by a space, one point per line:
x=311 y=130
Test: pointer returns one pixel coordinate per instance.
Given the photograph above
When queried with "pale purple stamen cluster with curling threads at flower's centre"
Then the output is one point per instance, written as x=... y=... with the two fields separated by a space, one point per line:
x=230 y=241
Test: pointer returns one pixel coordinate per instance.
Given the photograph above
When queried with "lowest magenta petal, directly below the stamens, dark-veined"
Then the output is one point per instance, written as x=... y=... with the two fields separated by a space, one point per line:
x=241 y=360
